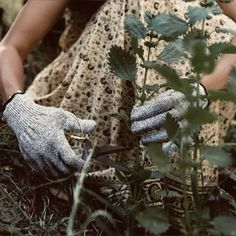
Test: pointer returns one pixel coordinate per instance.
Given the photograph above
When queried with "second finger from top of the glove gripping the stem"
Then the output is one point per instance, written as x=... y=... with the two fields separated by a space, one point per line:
x=155 y=122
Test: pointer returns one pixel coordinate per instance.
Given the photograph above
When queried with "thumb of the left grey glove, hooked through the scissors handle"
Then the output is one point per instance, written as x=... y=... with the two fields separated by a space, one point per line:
x=73 y=123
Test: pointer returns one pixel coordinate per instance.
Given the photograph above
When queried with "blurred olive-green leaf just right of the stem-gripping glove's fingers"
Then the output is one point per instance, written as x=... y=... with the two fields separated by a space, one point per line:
x=198 y=116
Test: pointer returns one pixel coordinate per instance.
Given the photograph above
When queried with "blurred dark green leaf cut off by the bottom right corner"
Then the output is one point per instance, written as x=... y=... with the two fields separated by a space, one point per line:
x=225 y=224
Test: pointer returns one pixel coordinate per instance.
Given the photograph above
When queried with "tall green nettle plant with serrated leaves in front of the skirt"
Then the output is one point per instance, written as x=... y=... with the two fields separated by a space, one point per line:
x=183 y=39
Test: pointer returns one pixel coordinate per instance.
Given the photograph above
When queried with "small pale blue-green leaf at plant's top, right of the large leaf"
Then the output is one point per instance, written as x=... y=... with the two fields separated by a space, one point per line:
x=196 y=14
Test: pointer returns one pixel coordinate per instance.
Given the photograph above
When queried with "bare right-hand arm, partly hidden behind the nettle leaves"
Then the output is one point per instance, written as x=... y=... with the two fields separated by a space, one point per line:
x=218 y=79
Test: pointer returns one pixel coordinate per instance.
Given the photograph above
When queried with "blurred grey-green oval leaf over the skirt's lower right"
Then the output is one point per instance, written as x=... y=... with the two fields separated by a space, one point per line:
x=216 y=156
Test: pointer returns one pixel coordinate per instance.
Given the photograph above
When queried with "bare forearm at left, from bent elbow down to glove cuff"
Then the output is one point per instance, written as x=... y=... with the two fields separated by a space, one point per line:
x=11 y=72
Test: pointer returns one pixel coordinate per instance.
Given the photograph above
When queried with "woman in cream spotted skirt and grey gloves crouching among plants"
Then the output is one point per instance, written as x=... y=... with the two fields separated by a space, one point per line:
x=79 y=81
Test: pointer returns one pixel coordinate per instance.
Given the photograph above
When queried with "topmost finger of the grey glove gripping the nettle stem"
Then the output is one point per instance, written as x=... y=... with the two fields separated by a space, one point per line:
x=156 y=106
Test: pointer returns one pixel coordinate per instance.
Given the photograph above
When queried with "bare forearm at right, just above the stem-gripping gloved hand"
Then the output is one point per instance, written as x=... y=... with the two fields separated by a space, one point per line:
x=219 y=77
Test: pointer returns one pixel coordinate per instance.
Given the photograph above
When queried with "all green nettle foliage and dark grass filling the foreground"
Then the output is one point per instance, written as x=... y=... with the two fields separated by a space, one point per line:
x=34 y=210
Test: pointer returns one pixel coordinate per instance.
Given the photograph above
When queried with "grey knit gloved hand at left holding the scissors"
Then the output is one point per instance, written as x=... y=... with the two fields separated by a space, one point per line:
x=40 y=134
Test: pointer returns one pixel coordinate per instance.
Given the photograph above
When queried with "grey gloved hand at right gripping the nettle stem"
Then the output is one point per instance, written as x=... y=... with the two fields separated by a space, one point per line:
x=149 y=119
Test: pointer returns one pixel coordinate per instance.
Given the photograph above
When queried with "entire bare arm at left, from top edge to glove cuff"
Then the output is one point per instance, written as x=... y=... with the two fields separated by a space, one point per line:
x=34 y=20
